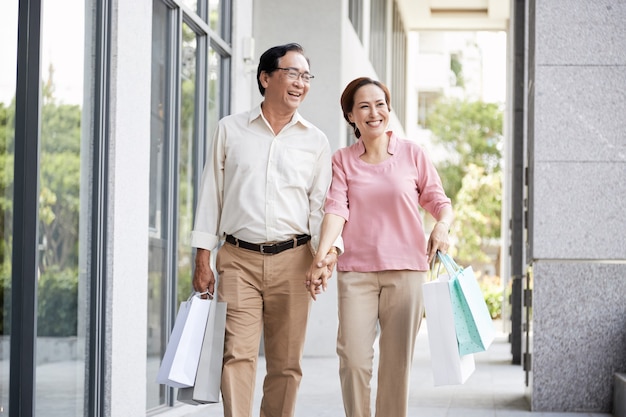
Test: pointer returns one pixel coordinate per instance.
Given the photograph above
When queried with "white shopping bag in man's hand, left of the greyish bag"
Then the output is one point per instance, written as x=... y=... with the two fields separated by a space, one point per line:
x=180 y=362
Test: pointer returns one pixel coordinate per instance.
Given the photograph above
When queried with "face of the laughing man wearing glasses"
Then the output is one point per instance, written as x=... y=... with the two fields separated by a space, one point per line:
x=282 y=87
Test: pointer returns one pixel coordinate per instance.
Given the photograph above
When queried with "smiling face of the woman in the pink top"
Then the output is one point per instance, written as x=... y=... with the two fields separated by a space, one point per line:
x=370 y=112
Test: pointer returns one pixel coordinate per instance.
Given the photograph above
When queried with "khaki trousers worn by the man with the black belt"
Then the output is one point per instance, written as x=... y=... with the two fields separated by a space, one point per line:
x=265 y=294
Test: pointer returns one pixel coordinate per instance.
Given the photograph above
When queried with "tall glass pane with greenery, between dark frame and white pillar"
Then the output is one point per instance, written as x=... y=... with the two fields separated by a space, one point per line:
x=64 y=206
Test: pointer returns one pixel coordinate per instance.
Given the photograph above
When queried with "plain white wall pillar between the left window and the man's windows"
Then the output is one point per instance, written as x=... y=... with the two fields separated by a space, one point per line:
x=128 y=216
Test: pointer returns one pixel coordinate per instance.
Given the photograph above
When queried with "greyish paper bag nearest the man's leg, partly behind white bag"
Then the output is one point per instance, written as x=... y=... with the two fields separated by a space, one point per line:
x=206 y=389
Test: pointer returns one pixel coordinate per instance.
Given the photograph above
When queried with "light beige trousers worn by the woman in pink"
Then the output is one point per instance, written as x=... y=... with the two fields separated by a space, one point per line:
x=393 y=300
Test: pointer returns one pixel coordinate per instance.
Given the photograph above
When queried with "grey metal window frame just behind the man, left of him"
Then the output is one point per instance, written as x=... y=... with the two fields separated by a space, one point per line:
x=206 y=39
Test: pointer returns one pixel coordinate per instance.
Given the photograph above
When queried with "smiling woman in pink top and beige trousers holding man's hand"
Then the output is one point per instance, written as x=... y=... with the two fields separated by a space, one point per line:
x=378 y=186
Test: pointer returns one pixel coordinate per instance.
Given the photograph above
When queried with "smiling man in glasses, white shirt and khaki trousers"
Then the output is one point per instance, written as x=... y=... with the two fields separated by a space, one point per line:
x=263 y=191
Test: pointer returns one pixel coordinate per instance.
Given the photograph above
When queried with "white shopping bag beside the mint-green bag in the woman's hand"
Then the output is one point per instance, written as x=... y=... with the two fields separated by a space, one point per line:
x=449 y=367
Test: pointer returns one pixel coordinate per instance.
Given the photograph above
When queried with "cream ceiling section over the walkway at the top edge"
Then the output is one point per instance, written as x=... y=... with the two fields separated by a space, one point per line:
x=470 y=15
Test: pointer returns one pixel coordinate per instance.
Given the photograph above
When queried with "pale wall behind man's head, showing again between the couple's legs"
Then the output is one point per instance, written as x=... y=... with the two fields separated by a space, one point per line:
x=317 y=27
